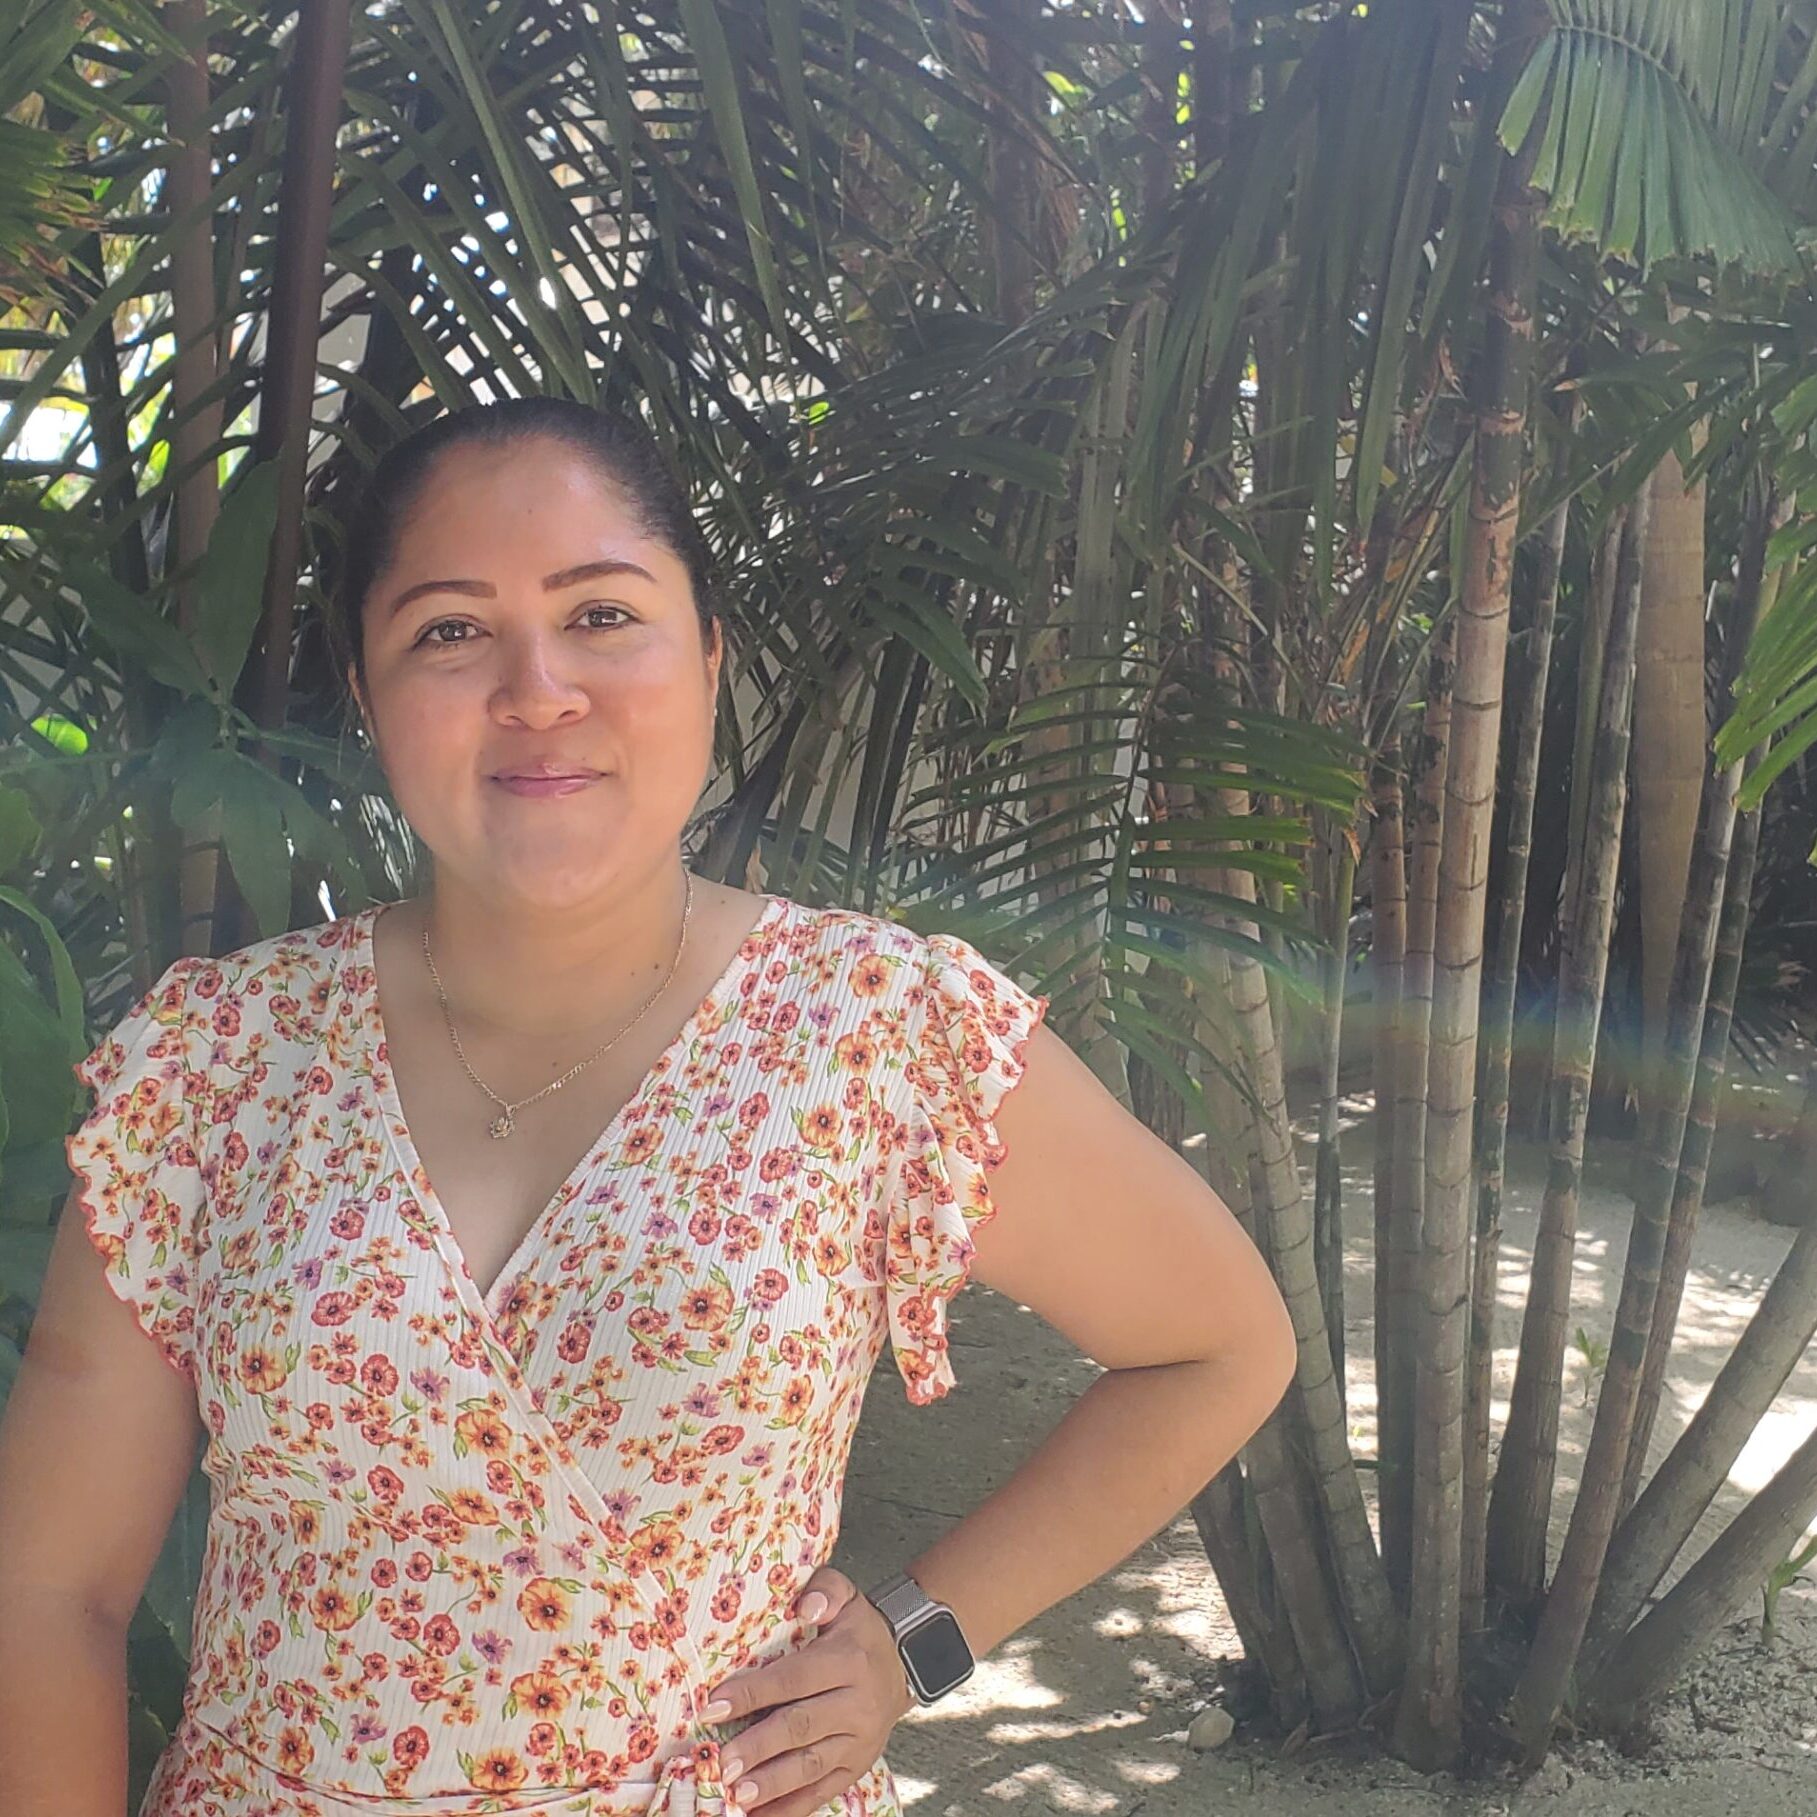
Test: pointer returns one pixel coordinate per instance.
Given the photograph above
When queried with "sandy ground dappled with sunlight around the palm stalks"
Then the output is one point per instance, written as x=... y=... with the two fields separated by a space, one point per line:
x=1087 y=1707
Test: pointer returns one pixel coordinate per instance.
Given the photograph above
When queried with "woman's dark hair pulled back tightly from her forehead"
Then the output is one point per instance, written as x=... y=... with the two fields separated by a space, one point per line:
x=621 y=448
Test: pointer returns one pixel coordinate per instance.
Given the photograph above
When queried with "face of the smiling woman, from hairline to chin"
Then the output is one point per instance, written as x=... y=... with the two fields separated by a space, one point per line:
x=524 y=619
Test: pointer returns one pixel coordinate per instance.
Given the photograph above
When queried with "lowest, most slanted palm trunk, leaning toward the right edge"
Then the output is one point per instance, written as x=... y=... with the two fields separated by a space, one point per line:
x=1714 y=1591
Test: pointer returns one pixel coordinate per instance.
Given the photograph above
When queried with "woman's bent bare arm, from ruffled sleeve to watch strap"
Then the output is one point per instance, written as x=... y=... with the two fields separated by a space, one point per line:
x=1122 y=1247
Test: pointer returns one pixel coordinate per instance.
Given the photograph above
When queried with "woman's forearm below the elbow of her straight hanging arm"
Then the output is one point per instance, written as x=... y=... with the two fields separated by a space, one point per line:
x=63 y=1711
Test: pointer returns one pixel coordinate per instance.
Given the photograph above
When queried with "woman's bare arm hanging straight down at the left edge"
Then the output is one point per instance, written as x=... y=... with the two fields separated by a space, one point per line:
x=95 y=1449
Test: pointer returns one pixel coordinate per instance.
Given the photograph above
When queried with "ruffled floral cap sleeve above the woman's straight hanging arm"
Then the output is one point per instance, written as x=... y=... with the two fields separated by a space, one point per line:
x=137 y=1160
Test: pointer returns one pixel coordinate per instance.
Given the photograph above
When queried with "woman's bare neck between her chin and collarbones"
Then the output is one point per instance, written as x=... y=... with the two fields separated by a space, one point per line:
x=539 y=971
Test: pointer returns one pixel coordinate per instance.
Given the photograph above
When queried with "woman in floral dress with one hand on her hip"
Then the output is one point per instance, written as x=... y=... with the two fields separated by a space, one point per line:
x=522 y=1253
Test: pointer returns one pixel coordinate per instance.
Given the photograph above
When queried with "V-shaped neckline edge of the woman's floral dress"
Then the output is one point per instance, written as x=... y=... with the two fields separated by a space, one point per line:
x=486 y=1302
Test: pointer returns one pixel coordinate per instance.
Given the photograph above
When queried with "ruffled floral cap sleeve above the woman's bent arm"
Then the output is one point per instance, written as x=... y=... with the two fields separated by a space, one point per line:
x=969 y=1037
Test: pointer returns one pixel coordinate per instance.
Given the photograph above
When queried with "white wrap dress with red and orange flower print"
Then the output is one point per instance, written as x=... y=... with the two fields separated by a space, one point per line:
x=490 y=1553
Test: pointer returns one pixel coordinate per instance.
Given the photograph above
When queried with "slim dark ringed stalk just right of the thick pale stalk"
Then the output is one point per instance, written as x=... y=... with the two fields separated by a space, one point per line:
x=1498 y=1042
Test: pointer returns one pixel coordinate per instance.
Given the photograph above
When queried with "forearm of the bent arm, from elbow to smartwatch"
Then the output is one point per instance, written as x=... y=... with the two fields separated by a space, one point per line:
x=1129 y=1455
